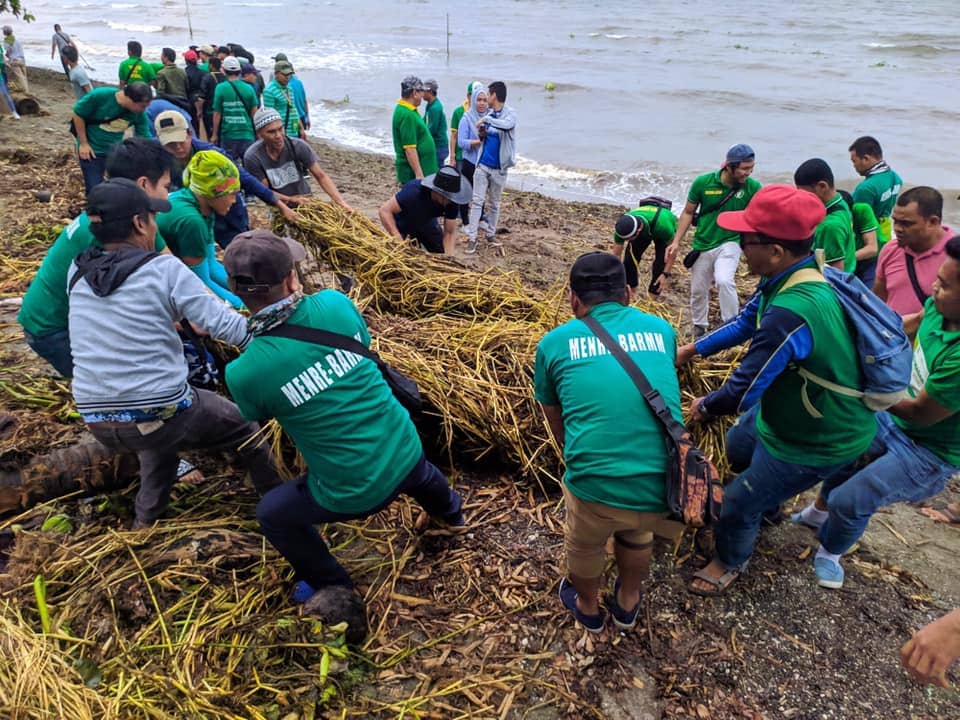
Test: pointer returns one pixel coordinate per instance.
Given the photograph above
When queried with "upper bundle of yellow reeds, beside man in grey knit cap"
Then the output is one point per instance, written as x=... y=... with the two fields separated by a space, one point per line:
x=404 y=281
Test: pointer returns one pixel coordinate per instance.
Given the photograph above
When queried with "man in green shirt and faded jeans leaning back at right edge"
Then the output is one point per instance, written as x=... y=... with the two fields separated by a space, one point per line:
x=917 y=448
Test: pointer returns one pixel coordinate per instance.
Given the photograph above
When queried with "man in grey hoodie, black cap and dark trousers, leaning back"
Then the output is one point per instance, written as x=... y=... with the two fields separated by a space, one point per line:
x=130 y=374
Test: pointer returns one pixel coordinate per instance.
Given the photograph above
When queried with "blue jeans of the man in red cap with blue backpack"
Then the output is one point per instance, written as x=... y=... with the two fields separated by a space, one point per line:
x=765 y=484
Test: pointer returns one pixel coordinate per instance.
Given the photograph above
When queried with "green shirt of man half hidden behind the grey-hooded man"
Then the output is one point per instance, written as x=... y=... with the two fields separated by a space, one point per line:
x=44 y=308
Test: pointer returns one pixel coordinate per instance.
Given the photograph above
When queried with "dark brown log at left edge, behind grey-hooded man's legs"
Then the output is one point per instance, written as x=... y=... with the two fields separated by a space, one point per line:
x=86 y=466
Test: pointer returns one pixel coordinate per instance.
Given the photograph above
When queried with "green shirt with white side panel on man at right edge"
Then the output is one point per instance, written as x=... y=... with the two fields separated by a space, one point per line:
x=936 y=368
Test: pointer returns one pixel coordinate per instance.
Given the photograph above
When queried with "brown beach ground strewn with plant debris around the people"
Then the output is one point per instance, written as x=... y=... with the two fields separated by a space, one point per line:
x=776 y=647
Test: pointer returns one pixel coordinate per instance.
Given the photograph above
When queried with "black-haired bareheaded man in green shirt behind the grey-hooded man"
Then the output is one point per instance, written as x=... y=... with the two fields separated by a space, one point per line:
x=43 y=313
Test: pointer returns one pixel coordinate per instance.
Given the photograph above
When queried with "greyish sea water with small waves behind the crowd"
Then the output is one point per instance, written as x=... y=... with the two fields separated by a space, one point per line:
x=615 y=100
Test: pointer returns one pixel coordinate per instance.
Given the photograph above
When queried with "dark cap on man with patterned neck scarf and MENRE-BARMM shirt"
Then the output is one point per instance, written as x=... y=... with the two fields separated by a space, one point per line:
x=258 y=260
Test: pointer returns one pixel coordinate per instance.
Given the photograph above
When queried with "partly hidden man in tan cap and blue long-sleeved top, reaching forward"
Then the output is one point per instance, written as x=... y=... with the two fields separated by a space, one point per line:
x=176 y=137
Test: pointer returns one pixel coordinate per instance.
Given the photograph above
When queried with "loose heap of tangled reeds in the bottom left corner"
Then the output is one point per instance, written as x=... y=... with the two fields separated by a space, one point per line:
x=189 y=619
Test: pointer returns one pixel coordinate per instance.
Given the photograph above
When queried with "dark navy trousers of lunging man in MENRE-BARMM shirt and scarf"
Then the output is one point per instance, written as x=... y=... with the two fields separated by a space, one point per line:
x=287 y=515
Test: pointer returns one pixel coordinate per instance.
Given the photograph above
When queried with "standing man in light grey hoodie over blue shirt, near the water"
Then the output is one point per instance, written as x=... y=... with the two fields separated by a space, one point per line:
x=498 y=153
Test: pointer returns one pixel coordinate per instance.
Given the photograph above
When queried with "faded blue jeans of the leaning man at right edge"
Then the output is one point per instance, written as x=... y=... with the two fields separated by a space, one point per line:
x=900 y=470
